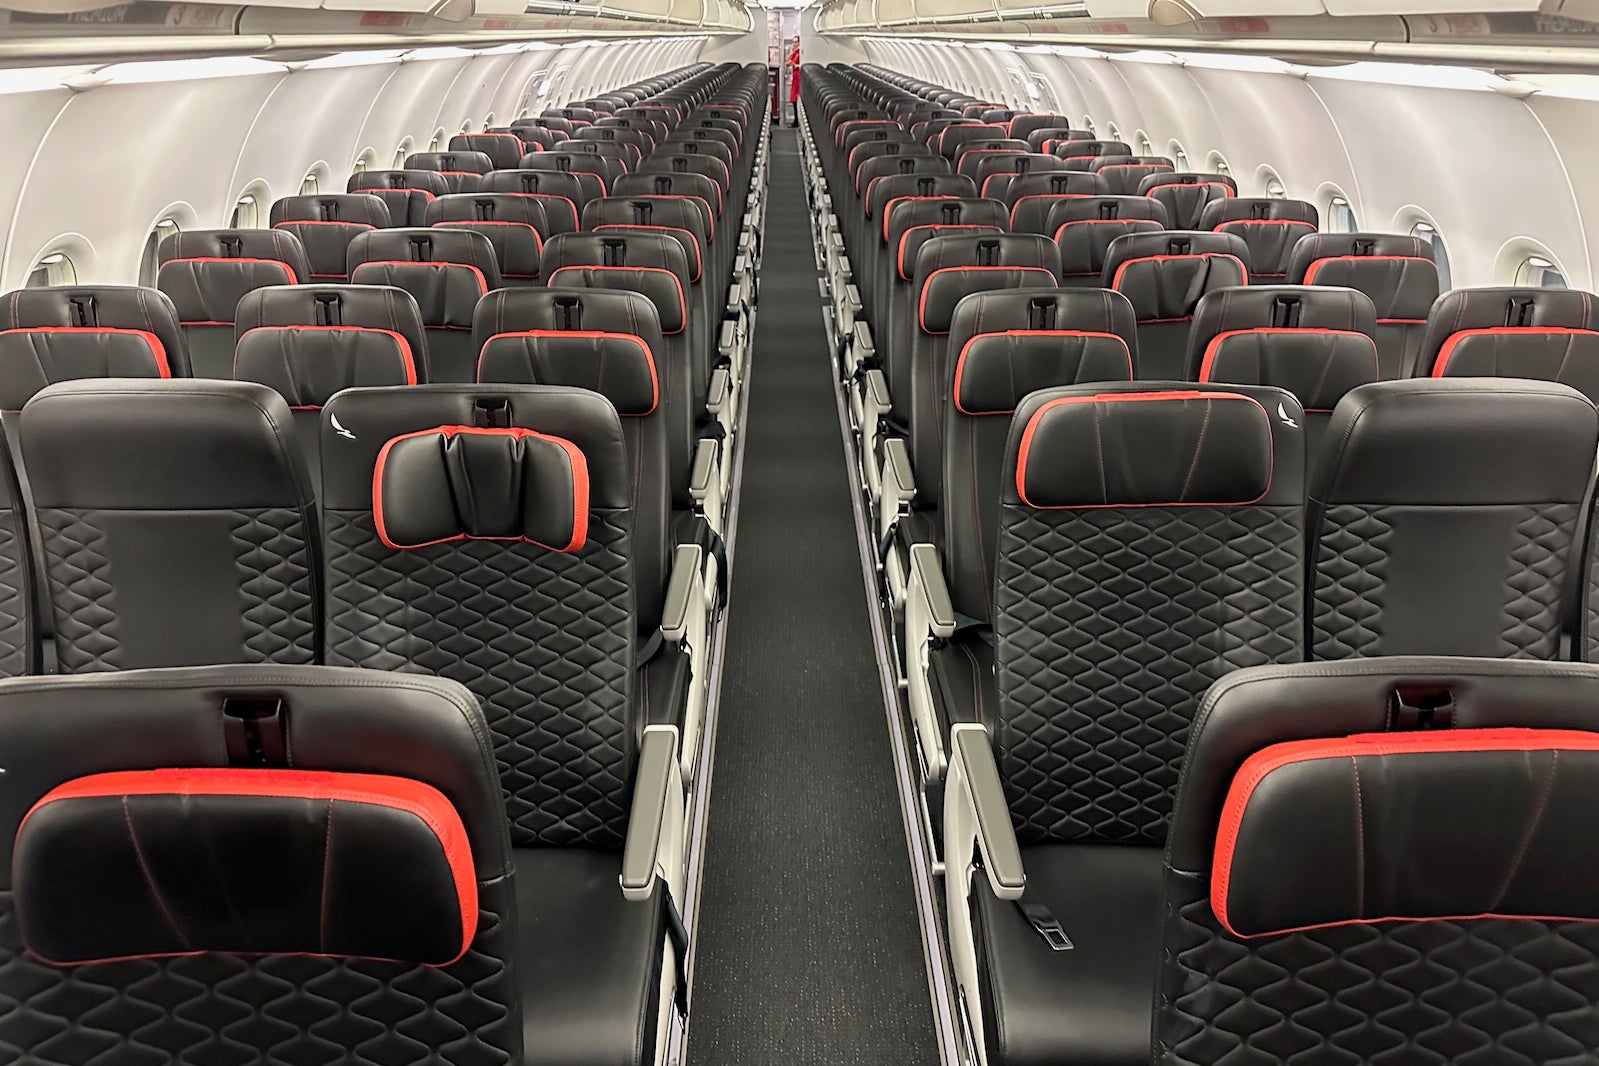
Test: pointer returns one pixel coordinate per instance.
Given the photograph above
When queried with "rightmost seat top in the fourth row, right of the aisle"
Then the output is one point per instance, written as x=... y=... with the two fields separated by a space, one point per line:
x=1397 y=272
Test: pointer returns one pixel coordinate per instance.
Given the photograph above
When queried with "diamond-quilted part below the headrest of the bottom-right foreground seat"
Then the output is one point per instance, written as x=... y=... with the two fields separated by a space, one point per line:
x=1483 y=993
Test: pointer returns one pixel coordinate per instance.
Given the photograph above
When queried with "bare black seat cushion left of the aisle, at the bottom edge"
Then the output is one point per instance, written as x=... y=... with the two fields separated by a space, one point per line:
x=588 y=960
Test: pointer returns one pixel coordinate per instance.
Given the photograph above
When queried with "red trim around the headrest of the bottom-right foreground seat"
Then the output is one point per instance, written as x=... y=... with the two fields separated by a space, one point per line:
x=1264 y=763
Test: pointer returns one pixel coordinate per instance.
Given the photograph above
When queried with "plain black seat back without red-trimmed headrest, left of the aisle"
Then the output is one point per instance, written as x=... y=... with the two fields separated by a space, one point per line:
x=178 y=531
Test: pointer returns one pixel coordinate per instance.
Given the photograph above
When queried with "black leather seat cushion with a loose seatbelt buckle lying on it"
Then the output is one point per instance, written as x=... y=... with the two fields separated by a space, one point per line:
x=1090 y=1006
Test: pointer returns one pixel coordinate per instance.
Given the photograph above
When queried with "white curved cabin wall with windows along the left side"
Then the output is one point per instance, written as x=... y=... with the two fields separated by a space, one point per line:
x=189 y=148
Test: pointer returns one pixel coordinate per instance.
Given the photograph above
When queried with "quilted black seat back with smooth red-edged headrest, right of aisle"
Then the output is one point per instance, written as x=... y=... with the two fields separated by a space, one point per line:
x=1150 y=541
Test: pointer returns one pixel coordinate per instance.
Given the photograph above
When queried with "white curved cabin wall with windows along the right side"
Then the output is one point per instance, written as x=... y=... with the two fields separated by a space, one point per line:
x=1489 y=164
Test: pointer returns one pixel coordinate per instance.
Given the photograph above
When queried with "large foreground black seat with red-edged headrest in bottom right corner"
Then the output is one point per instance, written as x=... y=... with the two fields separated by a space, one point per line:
x=1365 y=881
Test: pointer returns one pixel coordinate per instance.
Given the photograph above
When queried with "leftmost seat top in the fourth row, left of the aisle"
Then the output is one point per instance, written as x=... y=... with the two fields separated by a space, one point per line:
x=207 y=272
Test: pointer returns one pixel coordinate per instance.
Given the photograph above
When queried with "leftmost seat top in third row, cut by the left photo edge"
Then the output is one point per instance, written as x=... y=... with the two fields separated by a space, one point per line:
x=74 y=308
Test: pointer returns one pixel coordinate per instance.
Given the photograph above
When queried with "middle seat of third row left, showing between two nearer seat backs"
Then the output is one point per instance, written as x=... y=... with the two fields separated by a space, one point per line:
x=311 y=341
